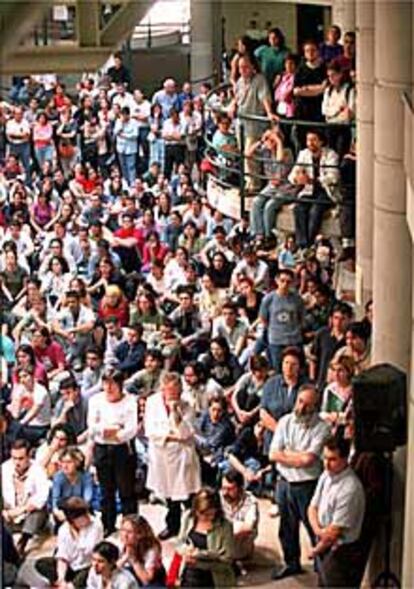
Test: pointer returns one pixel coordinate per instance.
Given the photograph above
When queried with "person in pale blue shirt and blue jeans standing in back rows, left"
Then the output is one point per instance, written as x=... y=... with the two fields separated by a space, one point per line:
x=126 y=133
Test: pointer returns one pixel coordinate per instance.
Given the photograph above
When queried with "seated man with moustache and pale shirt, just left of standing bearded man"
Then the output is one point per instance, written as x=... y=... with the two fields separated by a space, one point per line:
x=241 y=509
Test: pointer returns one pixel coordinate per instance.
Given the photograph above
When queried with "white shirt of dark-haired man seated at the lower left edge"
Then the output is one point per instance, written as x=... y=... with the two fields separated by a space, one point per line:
x=35 y=487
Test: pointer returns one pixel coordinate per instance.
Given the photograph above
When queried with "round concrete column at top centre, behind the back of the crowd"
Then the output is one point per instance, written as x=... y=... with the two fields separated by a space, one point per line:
x=202 y=50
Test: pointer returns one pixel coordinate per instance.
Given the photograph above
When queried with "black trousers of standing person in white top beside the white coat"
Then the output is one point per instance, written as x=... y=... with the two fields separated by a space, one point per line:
x=116 y=466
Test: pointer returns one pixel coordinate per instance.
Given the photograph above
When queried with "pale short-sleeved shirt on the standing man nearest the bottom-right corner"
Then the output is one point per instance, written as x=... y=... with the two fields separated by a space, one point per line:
x=340 y=501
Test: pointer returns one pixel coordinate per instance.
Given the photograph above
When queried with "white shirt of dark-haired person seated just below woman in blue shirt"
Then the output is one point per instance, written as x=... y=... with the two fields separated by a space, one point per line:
x=77 y=550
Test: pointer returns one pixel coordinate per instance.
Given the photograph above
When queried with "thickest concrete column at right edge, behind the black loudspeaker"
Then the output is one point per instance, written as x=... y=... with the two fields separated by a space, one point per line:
x=392 y=268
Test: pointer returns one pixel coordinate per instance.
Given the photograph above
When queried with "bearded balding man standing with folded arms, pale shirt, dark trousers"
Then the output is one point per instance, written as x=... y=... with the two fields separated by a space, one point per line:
x=297 y=448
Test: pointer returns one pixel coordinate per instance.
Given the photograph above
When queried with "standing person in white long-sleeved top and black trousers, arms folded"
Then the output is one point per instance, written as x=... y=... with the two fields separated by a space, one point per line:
x=112 y=425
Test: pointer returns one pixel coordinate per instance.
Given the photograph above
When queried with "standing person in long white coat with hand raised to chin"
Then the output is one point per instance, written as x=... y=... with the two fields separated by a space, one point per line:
x=173 y=465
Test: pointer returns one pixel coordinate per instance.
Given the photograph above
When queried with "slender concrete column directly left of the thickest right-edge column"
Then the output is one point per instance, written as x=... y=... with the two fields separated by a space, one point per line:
x=365 y=148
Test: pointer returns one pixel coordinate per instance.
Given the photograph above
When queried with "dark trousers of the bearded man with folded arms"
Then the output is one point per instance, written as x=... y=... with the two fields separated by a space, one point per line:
x=293 y=500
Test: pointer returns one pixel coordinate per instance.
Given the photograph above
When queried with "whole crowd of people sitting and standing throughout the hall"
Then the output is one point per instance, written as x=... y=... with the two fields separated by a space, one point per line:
x=154 y=349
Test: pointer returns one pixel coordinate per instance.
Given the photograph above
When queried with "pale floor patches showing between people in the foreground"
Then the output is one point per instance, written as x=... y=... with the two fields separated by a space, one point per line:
x=266 y=555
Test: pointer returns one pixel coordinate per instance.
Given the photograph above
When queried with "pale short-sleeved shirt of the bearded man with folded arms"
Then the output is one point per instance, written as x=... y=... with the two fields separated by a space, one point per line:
x=295 y=435
